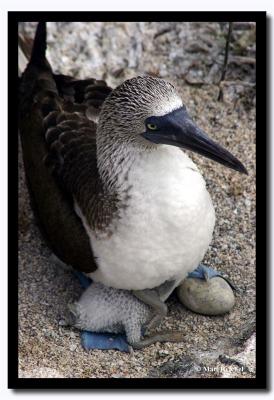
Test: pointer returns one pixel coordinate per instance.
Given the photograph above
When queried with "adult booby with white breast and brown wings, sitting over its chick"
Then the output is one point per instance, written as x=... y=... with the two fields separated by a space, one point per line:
x=116 y=196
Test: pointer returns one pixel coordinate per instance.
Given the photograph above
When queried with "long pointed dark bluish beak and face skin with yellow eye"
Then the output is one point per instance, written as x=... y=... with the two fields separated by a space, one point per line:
x=178 y=129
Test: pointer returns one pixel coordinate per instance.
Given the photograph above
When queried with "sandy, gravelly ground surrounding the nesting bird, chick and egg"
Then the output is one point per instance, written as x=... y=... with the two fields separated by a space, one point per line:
x=222 y=346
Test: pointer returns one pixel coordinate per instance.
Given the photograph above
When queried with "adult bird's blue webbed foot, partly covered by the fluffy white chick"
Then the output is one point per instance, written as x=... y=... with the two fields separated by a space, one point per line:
x=98 y=340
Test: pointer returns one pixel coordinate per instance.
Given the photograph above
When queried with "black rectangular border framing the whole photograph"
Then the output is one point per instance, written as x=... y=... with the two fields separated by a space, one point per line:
x=261 y=380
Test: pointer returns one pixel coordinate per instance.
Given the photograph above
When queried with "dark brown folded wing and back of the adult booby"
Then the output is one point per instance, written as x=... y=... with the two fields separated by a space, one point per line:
x=59 y=151
